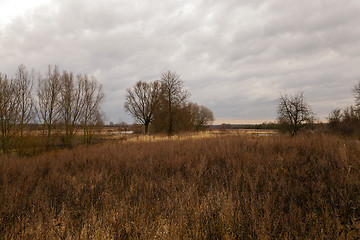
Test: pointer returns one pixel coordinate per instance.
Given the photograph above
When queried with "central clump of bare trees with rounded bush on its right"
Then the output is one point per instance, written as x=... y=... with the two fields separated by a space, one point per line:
x=163 y=106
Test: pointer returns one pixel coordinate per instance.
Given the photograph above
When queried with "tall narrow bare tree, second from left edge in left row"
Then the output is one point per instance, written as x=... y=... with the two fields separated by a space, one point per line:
x=24 y=86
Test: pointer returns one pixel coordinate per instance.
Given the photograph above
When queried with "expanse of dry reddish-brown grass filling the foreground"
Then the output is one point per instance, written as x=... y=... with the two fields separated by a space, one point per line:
x=225 y=187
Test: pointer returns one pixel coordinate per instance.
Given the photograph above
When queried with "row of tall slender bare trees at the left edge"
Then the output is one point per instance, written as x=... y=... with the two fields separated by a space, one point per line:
x=60 y=99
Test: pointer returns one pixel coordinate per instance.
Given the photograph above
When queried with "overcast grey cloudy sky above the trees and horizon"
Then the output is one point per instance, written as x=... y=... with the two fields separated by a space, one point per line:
x=235 y=56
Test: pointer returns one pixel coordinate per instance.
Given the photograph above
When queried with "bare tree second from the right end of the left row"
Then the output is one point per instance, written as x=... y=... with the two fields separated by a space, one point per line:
x=72 y=102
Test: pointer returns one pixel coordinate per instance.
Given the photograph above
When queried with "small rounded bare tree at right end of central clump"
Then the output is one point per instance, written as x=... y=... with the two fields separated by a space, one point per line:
x=201 y=116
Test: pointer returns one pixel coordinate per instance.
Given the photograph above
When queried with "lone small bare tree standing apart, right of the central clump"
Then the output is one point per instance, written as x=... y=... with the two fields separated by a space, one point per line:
x=293 y=112
